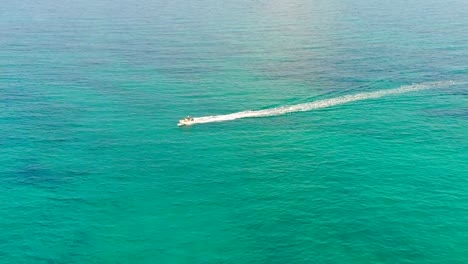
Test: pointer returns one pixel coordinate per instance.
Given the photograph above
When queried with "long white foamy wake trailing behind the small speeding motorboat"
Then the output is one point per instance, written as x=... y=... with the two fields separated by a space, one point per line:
x=321 y=103
